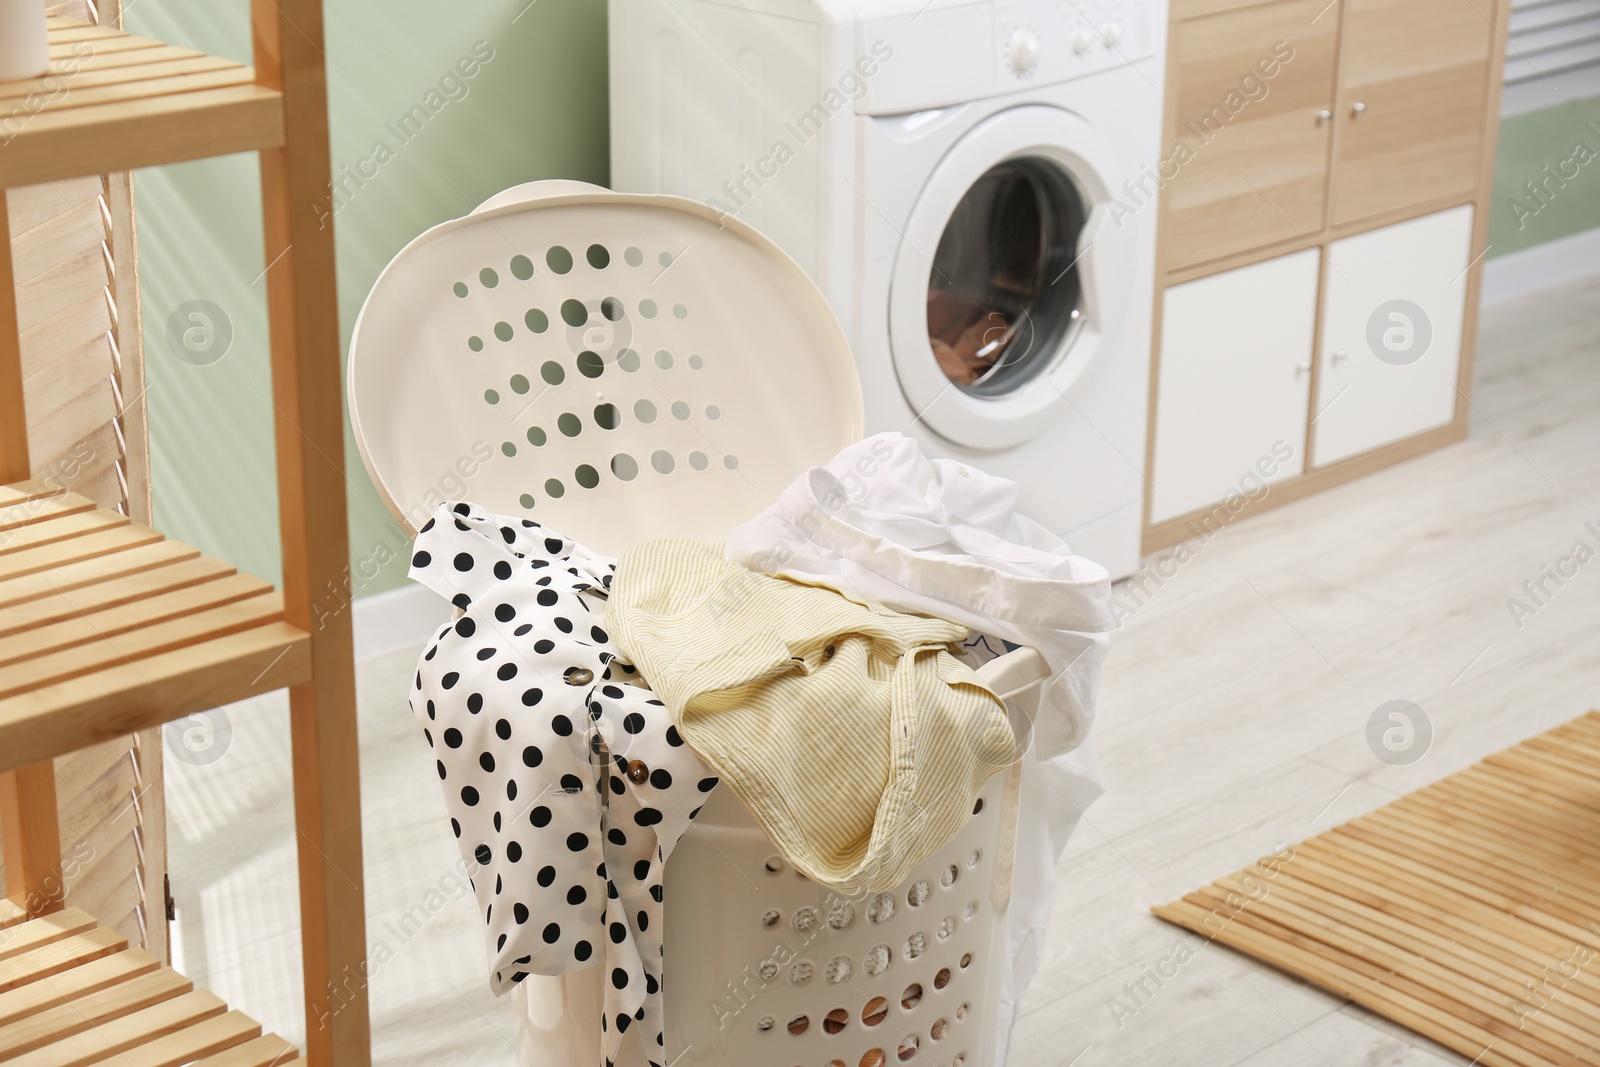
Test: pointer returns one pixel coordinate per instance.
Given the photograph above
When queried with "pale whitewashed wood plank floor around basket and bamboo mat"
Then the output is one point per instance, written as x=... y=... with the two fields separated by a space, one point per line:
x=1233 y=719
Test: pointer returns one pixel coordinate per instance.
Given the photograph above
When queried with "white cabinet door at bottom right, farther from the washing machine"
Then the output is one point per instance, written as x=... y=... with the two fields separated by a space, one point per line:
x=1391 y=335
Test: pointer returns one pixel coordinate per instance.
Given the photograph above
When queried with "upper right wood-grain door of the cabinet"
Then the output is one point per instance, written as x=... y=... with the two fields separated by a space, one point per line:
x=1410 y=121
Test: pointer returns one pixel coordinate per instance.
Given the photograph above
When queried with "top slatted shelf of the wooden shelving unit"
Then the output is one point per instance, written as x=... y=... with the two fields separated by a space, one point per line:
x=116 y=103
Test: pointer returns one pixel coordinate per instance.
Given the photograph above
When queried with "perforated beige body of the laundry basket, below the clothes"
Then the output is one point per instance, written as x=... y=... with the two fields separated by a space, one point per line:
x=766 y=969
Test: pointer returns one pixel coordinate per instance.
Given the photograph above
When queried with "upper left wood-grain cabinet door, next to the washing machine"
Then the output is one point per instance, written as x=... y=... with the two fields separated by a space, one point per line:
x=1246 y=154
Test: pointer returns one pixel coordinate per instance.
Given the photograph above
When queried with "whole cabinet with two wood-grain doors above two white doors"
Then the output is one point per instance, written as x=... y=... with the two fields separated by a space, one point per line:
x=1324 y=206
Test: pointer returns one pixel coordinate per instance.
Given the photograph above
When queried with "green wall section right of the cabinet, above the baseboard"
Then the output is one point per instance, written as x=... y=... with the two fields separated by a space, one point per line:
x=1559 y=151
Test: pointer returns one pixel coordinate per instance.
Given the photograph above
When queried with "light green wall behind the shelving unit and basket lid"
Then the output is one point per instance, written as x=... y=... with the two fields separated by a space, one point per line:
x=535 y=110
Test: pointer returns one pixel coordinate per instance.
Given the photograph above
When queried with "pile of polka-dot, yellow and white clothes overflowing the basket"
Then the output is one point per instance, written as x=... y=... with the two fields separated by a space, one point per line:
x=582 y=709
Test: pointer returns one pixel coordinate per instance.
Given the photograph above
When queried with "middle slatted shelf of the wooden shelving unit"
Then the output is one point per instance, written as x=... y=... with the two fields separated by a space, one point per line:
x=108 y=628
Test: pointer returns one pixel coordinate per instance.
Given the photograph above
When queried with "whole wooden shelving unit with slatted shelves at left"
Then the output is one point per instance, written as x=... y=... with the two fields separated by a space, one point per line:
x=108 y=628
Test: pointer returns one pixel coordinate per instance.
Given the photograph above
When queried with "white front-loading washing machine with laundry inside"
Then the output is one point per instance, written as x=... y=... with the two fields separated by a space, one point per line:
x=974 y=188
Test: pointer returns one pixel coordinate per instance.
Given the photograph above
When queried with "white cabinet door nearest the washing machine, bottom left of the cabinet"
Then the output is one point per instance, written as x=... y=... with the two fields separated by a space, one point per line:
x=1234 y=383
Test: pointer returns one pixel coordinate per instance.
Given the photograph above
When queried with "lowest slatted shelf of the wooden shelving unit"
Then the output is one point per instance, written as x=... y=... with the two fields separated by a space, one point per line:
x=74 y=993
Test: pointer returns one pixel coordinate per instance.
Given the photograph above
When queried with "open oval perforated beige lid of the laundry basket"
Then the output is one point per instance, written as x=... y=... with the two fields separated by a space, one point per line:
x=618 y=367
